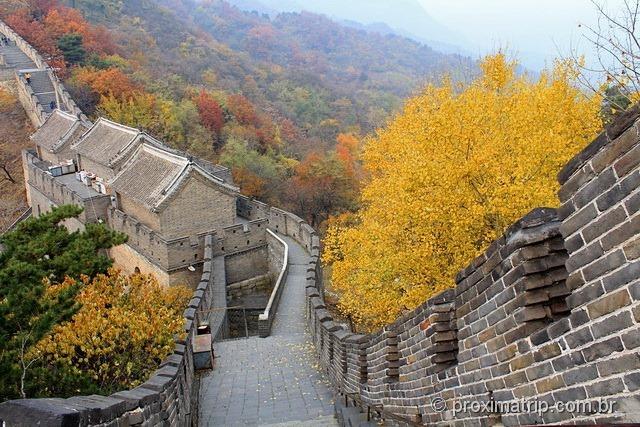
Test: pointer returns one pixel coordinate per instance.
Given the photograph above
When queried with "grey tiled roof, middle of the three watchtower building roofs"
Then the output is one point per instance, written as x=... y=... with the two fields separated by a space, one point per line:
x=106 y=141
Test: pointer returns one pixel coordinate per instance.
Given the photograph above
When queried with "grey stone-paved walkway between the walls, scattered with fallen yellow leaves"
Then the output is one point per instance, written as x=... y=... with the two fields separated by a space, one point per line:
x=270 y=381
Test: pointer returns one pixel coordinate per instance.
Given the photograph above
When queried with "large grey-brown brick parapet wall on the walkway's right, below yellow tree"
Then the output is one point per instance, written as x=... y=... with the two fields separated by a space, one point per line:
x=551 y=312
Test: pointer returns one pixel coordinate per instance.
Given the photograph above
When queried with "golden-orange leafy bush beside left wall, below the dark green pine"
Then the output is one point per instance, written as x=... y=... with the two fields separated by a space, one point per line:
x=123 y=330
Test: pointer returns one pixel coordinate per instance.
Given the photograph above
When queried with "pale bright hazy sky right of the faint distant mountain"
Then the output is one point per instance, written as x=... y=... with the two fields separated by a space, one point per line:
x=535 y=30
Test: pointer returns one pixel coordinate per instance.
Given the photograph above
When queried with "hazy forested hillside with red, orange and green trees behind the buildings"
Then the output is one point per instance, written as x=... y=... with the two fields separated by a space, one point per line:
x=284 y=100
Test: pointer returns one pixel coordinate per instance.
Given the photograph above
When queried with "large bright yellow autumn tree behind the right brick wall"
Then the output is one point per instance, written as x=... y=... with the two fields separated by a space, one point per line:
x=447 y=176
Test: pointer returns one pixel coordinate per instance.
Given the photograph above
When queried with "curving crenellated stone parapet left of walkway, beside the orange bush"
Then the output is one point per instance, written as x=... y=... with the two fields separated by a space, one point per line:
x=168 y=397
